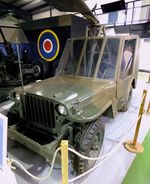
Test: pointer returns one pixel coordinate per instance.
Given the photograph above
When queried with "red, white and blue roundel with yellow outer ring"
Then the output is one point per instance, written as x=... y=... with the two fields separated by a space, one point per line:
x=48 y=45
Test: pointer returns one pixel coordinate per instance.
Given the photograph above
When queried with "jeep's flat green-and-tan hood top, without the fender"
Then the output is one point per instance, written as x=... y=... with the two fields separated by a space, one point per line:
x=69 y=89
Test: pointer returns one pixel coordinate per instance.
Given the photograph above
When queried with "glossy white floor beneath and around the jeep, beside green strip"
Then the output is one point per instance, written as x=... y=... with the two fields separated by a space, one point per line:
x=113 y=170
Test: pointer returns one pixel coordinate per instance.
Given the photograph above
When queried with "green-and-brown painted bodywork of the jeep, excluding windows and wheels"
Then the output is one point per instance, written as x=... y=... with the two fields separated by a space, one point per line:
x=85 y=99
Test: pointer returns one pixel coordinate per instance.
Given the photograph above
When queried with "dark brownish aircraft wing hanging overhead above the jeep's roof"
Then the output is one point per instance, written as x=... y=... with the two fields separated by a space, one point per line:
x=74 y=6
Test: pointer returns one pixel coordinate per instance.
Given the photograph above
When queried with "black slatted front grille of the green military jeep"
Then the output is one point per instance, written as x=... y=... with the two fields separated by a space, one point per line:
x=38 y=110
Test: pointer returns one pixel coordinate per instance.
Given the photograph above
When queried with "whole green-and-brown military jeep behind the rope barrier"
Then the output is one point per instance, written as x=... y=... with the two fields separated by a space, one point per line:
x=95 y=78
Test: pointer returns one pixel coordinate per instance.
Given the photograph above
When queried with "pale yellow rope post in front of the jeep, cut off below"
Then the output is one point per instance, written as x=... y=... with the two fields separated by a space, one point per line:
x=64 y=161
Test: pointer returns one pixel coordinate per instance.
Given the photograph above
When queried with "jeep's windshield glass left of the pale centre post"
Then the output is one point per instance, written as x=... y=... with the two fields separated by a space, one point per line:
x=80 y=57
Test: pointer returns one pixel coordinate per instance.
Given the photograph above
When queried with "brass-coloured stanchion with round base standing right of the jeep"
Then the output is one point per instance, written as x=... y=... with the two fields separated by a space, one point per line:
x=134 y=146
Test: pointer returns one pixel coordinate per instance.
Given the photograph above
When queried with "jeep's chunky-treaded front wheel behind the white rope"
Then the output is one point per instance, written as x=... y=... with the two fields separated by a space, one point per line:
x=85 y=142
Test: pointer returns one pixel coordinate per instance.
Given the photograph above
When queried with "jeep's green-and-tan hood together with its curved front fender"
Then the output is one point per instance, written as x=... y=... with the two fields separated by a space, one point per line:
x=68 y=91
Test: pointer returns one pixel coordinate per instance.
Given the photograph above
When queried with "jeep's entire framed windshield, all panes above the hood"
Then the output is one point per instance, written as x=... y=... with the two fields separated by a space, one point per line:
x=92 y=57
